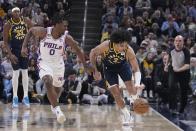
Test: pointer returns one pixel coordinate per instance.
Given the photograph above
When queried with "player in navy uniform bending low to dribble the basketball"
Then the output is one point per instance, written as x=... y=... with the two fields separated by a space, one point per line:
x=119 y=59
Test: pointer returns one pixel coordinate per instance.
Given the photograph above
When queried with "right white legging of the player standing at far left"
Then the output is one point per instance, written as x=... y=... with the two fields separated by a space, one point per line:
x=25 y=82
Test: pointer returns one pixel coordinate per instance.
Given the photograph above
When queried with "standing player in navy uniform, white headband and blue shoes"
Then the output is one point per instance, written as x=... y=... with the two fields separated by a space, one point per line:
x=13 y=35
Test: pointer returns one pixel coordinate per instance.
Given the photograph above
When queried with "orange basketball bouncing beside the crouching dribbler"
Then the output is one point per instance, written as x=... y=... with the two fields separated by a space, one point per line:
x=140 y=106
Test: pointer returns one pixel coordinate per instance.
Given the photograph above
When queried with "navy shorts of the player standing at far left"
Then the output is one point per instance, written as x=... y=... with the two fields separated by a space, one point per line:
x=22 y=61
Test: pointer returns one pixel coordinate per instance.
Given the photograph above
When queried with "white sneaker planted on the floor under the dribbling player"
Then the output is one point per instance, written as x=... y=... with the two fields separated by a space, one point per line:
x=127 y=119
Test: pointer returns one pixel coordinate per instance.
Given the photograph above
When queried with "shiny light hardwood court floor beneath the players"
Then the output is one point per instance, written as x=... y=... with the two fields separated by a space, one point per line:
x=79 y=118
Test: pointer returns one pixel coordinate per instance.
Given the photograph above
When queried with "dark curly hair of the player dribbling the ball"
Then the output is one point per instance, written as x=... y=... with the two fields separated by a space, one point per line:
x=120 y=36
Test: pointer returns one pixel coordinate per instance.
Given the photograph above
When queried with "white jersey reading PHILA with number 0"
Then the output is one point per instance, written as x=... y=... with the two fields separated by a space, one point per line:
x=51 y=50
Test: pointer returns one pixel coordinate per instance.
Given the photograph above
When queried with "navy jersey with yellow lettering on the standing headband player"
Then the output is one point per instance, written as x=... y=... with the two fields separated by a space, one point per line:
x=17 y=33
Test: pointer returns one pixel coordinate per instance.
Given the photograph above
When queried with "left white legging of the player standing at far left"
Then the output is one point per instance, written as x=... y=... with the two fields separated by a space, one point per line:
x=15 y=82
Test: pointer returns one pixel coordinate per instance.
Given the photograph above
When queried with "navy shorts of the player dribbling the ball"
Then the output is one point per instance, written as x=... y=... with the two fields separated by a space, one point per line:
x=111 y=73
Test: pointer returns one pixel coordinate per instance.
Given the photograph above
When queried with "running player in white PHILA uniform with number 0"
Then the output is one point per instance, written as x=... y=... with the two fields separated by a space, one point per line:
x=50 y=61
